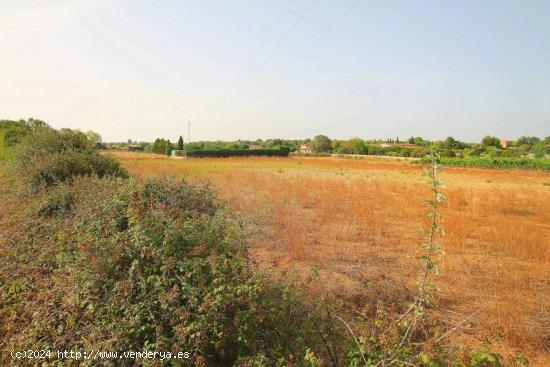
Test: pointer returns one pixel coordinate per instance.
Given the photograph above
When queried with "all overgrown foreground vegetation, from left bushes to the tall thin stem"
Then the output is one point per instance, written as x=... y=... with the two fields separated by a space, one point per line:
x=95 y=259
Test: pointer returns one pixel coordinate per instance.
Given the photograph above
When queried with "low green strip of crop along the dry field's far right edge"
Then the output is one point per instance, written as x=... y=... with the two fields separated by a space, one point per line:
x=494 y=162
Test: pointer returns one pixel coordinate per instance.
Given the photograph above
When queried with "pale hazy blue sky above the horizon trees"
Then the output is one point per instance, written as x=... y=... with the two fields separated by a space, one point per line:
x=247 y=69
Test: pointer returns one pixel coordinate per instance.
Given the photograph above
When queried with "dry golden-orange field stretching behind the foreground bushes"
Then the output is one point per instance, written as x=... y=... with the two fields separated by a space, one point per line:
x=358 y=221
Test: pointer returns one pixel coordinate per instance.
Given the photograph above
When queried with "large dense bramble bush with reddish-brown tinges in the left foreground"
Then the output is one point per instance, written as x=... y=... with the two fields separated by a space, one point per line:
x=158 y=265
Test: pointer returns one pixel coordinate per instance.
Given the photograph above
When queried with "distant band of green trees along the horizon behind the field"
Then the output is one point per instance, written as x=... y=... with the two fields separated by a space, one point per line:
x=12 y=131
